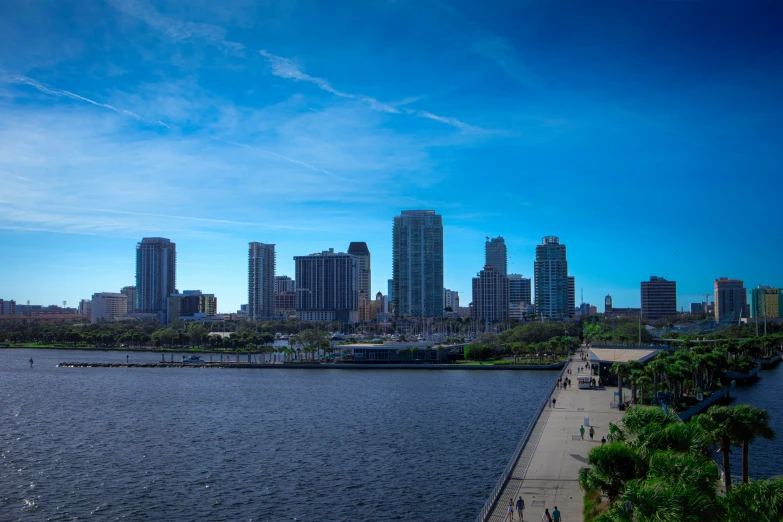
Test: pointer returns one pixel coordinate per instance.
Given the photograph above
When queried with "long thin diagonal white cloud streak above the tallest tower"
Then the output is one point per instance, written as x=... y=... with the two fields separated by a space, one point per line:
x=285 y=68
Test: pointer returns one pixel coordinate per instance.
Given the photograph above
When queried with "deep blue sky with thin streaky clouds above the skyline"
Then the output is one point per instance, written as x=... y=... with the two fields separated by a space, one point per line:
x=646 y=134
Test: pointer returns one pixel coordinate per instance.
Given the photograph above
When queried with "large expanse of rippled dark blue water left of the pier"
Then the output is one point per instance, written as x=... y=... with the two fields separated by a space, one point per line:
x=210 y=444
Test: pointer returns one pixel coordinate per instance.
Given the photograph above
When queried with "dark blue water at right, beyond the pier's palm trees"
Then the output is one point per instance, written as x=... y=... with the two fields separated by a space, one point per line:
x=766 y=459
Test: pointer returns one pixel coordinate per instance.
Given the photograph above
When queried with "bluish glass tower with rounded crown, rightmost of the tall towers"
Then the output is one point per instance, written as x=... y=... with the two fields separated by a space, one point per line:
x=551 y=279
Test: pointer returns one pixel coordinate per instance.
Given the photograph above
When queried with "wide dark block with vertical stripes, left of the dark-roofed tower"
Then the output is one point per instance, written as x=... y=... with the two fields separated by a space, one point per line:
x=327 y=287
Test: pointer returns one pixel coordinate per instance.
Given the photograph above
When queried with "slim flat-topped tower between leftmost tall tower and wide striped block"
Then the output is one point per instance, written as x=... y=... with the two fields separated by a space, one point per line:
x=261 y=281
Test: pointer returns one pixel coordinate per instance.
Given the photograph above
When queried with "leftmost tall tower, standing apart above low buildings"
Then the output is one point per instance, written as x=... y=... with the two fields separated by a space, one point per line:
x=156 y=275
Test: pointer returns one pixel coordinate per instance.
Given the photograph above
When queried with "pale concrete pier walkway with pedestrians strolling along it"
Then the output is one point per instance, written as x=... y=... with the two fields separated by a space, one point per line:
x=546 y=474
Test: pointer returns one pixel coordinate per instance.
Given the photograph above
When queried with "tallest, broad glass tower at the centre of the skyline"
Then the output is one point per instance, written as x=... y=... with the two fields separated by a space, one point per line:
x=417 y=264
